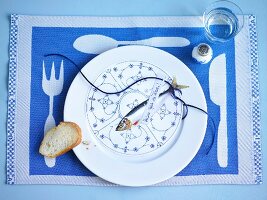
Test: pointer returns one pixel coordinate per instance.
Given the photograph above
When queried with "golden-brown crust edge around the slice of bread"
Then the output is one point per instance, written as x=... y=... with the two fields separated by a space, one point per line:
x=79 y=139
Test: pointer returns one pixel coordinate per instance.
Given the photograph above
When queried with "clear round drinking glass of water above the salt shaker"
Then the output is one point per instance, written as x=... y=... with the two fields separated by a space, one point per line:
x=222 y=20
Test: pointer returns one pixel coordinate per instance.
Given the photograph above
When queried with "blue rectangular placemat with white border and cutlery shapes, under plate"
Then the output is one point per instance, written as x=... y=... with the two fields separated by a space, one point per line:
x=29 y=105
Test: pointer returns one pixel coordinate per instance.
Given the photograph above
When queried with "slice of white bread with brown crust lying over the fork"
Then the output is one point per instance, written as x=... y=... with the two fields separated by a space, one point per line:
x=60 y=139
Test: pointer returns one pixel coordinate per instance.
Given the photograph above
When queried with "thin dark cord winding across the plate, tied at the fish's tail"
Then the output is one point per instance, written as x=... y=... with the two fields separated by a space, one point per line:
x=172 y=90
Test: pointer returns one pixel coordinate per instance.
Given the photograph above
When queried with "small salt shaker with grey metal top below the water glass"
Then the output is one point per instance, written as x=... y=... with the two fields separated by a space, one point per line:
x=202 y=53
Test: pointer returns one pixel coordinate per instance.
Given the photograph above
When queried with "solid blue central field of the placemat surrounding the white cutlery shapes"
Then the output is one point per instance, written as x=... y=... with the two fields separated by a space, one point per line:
x=46 y=40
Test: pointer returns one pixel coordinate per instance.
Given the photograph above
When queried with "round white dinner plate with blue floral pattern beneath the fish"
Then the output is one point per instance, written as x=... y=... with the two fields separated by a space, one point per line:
x=150 y=152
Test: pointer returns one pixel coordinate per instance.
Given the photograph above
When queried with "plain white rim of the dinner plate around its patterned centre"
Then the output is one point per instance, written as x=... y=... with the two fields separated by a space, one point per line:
x=150 y=167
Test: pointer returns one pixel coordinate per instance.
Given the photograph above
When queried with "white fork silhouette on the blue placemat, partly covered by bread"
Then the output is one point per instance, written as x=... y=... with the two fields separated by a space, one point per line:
x=52 y=87
